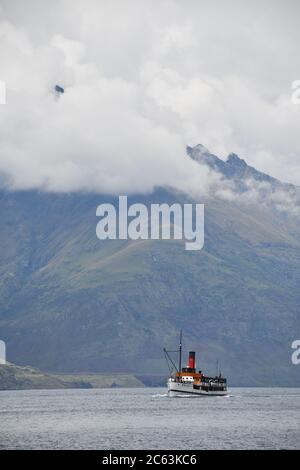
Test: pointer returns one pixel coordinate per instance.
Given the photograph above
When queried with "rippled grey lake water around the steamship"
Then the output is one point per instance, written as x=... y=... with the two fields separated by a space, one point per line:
x=147 y=419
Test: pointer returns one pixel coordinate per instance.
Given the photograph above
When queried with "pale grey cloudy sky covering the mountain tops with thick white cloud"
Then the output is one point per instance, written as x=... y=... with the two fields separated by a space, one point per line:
x=142 y=80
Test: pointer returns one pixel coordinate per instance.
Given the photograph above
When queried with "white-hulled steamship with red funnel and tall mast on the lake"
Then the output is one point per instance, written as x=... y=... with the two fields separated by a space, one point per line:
x=187 y=381
